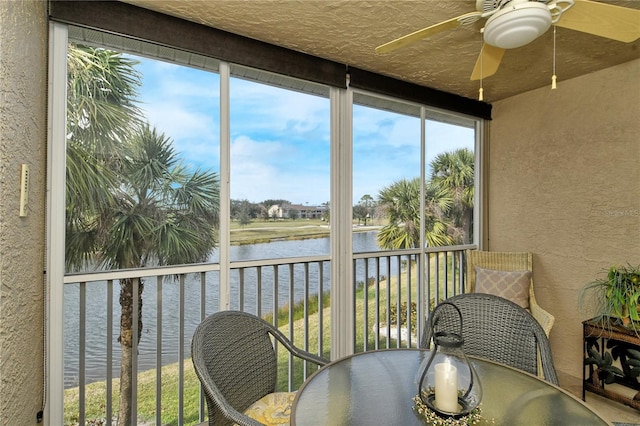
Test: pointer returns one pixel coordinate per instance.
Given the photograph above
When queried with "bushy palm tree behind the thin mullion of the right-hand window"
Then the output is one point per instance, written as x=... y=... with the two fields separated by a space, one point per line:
x=401 y=204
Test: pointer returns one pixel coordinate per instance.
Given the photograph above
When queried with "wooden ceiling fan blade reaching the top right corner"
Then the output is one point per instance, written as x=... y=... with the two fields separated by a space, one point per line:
x=604 y=20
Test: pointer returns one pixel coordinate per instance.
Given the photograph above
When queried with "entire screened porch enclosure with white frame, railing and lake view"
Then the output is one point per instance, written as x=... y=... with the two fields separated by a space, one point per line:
x=254 y=139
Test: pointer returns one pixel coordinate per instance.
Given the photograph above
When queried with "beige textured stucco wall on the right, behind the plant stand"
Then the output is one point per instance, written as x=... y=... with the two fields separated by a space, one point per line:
x=564 y=183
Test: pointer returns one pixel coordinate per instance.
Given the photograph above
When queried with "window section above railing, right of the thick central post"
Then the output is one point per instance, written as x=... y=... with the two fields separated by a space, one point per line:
x=396 y=205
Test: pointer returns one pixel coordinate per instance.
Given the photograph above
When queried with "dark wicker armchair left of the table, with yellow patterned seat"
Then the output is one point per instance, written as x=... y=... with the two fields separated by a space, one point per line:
x=235 y=360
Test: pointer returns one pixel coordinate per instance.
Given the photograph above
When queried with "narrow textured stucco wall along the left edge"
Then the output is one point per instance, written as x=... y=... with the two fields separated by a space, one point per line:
x=23 y=66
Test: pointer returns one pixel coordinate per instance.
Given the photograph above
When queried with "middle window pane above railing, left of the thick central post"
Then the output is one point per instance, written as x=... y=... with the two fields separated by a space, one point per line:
x=280 y=169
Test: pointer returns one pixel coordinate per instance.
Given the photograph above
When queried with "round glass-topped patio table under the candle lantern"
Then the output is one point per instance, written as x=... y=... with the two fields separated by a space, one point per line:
x=377 y=388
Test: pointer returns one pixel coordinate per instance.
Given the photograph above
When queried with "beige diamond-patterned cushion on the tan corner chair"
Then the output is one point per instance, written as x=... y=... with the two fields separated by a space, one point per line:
x=513 y=286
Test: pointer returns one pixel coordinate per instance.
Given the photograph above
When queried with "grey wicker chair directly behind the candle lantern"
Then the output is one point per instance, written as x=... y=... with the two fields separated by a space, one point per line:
x=499 y=330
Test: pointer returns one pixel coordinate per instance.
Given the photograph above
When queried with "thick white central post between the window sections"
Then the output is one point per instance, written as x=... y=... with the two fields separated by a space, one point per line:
x=342 y=289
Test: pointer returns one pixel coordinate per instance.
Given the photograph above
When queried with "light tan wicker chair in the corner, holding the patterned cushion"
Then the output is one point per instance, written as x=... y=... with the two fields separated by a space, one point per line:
x=507 y=261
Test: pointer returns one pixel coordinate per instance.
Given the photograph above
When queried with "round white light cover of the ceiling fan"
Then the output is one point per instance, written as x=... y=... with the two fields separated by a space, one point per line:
x=517 y=25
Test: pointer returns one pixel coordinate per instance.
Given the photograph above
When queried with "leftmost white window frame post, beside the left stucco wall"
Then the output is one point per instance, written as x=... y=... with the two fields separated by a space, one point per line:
x=55 y=223
